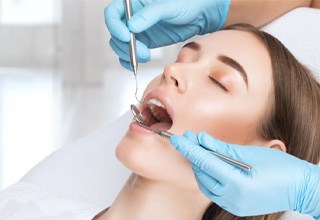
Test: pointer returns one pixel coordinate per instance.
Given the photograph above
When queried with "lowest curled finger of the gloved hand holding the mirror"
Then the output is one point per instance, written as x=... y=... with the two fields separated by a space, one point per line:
x=211 y=184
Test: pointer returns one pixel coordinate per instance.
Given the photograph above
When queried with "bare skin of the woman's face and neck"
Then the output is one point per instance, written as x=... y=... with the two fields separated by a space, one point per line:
x=162 y=185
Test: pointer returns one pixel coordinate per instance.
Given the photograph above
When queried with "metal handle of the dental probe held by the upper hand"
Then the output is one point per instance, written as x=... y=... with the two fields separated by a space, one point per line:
x=132 y=44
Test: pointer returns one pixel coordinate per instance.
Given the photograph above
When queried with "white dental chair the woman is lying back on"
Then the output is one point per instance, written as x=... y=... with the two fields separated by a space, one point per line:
x=86 y=174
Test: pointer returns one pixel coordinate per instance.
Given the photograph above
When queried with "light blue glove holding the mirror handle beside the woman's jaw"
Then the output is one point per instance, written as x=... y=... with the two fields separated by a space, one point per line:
x=277 y=182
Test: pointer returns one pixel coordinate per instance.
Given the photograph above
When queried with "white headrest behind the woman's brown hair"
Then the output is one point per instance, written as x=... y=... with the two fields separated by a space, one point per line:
x=299 y=31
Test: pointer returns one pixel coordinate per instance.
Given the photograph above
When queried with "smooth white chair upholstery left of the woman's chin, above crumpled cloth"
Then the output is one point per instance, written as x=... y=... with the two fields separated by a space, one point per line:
x=86 y=170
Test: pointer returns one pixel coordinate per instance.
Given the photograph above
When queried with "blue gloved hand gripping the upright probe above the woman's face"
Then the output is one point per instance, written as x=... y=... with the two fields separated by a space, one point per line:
x=161 y=22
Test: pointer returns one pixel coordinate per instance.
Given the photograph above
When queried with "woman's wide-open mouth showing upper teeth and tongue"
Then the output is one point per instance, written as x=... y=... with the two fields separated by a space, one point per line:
x=156 y=115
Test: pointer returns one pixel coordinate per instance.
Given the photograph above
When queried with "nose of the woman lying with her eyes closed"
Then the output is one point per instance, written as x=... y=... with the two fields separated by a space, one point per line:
x=175 y=75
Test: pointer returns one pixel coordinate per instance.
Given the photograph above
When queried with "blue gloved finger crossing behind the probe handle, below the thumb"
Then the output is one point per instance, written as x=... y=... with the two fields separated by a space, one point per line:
x=122 y=50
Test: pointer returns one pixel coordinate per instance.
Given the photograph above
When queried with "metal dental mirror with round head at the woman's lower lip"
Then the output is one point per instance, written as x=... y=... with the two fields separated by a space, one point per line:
x=139 y=119
